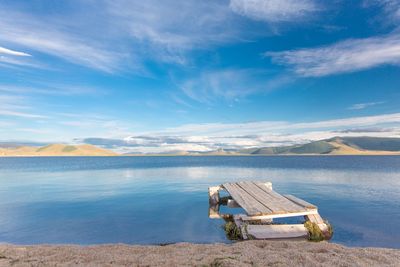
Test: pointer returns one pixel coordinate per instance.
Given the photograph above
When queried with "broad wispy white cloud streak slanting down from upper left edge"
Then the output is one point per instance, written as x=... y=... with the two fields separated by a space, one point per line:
x=56 y=39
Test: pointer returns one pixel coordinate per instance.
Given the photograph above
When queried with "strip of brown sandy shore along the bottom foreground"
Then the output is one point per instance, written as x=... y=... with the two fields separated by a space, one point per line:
x=249 y=253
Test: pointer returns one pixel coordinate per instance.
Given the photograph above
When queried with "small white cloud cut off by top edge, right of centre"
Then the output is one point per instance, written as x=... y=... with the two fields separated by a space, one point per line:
x=274 y=10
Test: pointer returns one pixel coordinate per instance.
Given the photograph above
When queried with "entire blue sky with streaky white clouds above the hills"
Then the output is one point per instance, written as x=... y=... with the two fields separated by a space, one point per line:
x=161 y=75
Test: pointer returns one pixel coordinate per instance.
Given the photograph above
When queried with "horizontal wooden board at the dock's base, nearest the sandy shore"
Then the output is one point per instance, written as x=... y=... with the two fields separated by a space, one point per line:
x=276 y=231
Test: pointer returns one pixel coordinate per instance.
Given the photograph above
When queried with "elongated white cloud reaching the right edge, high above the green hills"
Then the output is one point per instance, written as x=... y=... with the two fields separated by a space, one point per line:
x=346 y=56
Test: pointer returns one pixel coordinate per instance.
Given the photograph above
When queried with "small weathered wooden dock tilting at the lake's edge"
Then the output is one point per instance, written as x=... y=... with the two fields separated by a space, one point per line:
x=262 y=204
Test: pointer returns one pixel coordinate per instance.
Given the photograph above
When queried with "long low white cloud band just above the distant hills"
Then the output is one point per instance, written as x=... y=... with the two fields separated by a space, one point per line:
x=213 y=136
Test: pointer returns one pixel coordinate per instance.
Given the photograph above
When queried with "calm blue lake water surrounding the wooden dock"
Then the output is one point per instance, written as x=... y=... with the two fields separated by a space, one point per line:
x=150 y=200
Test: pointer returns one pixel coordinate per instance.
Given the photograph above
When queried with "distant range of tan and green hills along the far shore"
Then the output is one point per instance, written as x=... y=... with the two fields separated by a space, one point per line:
x=333 y=146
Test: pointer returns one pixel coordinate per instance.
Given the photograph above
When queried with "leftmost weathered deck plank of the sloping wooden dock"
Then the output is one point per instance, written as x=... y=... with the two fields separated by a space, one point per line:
x=246 y=201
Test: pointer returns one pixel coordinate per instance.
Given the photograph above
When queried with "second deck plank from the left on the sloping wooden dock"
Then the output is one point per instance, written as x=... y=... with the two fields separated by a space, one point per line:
x=262 y=197
